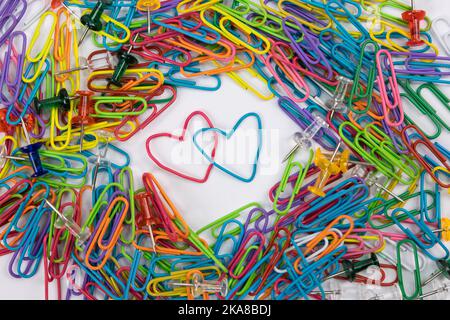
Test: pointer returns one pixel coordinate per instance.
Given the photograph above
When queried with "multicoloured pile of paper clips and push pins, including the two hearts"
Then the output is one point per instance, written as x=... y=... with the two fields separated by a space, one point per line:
x=364 y=207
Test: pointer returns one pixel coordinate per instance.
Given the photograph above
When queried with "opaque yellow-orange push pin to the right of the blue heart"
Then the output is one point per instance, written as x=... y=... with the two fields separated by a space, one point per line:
x=328 y=168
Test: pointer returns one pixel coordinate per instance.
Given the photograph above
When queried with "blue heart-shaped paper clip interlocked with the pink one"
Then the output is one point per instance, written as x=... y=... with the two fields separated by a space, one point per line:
x=228 y=136
